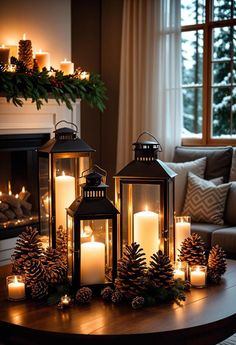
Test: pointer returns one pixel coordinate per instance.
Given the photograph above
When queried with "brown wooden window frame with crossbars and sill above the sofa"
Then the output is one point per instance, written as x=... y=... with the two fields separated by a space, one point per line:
x=207 y=28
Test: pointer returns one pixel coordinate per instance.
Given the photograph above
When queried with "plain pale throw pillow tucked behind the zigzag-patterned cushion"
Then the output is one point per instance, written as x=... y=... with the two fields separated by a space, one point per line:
x=197 y=167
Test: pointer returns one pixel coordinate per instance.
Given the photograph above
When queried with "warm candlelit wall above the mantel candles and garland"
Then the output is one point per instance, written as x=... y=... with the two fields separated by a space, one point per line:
x=46 y=23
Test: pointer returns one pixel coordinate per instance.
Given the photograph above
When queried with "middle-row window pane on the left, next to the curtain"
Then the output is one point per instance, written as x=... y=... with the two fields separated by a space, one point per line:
x=192 y=57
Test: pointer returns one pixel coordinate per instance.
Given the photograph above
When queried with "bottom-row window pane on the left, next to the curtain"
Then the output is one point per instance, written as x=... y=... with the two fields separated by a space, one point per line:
x=192 y=108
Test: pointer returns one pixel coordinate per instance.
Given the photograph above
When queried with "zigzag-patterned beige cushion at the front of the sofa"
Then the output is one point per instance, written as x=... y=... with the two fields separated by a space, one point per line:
x=205 y=202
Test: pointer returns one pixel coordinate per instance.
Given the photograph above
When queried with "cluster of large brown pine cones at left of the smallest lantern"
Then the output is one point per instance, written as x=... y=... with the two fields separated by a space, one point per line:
x=42 y=268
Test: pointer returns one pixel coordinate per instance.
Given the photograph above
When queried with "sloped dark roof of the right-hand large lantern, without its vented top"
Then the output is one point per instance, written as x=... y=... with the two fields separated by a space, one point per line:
x=146 y=169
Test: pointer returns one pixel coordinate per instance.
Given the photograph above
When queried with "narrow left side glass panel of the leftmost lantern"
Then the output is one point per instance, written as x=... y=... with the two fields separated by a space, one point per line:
x=44 y=197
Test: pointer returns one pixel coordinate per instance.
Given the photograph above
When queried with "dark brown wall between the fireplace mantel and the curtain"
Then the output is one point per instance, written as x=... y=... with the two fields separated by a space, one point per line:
x=96 y=45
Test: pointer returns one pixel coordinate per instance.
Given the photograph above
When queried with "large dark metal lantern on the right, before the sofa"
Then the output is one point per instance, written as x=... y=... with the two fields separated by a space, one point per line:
x=145 y=199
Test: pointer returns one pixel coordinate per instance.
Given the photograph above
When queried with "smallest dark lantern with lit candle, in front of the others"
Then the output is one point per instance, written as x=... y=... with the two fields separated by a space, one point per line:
x=92 y=235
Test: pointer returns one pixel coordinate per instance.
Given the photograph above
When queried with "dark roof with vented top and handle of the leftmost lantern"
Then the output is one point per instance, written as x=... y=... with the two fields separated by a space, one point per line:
x=65 y=140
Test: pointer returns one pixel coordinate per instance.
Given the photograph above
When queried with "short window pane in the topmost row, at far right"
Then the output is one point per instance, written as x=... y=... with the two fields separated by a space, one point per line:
x=223 y=9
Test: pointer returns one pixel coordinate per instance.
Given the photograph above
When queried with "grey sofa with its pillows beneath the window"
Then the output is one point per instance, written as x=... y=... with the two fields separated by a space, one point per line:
x=205 y=189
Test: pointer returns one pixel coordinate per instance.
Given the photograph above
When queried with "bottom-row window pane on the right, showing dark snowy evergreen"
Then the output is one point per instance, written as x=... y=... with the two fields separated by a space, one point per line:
x=223 y=112
